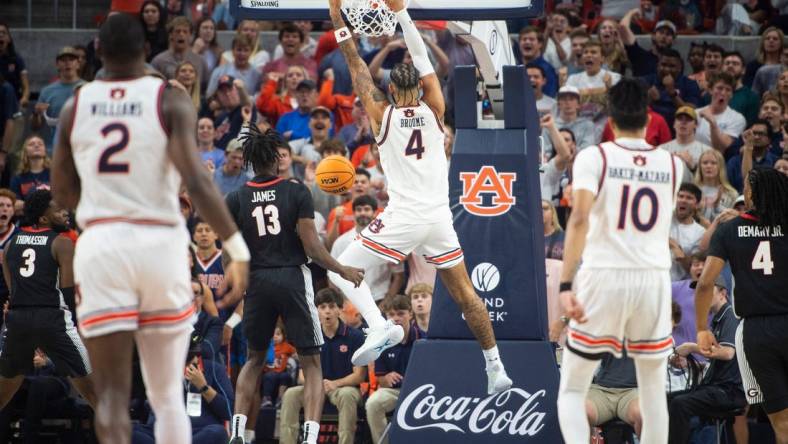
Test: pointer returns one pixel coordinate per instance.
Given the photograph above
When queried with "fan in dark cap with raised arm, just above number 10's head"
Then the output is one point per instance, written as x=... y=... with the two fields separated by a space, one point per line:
x=644 y=62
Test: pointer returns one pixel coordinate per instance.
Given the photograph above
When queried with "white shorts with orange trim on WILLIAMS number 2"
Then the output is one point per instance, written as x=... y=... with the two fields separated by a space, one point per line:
x=131 y=277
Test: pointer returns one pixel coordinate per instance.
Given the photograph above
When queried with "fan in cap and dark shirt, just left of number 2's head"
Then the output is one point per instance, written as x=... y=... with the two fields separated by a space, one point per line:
x=55 y=95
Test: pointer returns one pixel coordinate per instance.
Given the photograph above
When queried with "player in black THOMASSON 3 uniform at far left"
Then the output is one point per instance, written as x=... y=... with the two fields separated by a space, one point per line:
x=37 y=264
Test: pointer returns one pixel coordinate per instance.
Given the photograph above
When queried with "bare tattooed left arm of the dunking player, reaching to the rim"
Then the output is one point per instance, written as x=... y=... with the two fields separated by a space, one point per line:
x=374 y=100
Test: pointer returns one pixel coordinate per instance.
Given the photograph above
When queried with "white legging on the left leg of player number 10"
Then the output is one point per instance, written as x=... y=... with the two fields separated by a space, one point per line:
x=576 y=375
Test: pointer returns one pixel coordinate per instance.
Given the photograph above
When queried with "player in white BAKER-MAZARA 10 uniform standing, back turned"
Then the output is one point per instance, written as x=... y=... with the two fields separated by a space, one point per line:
x=622 y=201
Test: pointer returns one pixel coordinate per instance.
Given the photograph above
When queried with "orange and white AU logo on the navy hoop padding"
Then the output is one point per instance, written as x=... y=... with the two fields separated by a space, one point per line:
x=488 y=181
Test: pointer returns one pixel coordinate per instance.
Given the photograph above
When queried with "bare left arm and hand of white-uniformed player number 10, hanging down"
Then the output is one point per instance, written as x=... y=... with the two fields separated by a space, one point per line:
x=574 y=244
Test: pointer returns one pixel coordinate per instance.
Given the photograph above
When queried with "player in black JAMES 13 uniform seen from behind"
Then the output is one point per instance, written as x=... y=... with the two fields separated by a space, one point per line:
x=276 y=217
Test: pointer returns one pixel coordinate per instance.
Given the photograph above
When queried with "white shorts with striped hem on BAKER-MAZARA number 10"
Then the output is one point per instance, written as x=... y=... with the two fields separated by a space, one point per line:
x=626 y=308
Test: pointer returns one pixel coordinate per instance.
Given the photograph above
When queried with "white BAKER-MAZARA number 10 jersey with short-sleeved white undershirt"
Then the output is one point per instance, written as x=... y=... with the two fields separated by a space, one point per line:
x=635 y=186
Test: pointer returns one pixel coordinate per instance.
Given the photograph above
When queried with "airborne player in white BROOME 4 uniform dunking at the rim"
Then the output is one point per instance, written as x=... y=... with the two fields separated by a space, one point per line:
x=410 y=138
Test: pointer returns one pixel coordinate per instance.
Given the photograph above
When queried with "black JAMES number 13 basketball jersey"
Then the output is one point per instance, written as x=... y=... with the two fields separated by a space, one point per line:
x=267 y=210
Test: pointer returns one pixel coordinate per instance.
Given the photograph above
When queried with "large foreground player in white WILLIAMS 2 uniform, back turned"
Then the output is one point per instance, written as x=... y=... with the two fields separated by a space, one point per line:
x=124 y=145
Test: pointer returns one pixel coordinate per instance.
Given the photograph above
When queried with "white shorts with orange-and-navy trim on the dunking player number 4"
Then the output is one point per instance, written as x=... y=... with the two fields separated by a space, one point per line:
x=394 y=240
